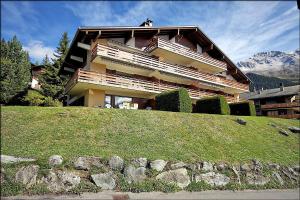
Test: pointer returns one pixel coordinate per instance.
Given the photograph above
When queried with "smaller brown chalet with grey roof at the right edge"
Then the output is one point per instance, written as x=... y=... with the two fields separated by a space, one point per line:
x=283 y=102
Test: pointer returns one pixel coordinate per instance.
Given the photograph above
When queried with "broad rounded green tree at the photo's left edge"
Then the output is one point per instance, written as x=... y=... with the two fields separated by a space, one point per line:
x=15 y=69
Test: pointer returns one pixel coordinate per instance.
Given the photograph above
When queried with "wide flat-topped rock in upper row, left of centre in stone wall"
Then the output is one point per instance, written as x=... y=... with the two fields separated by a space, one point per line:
x=85 y=163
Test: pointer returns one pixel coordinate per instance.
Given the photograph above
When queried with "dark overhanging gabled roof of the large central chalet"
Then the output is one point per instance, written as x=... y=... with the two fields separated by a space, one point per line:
x=87 y=33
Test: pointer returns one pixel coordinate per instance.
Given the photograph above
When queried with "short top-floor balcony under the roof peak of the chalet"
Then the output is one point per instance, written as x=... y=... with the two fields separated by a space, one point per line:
x=185 y=56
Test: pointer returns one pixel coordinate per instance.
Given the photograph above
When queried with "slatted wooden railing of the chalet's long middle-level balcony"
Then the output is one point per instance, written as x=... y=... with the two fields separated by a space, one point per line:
x=153 y=63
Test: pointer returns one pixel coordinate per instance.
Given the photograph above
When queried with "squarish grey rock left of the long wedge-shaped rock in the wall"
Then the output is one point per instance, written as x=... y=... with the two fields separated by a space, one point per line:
x=135 y=175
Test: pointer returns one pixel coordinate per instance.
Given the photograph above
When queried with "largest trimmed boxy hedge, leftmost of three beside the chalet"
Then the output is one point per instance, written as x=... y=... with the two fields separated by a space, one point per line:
x=177 y=101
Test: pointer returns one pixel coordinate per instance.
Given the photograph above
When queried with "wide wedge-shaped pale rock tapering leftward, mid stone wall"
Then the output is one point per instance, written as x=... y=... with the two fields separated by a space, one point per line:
x=179 y=177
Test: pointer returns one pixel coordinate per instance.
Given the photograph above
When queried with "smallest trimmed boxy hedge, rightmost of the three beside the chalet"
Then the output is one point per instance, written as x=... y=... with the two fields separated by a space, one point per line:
x=246 y=108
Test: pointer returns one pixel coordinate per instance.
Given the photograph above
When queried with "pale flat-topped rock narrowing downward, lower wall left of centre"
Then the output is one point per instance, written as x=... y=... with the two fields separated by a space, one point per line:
x=106 y=180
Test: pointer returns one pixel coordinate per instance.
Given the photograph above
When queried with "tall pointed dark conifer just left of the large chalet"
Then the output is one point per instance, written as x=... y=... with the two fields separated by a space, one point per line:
x=51 y=83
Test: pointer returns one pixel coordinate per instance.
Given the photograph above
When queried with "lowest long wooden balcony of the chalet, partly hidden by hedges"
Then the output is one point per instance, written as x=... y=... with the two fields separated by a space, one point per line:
x=109 y=81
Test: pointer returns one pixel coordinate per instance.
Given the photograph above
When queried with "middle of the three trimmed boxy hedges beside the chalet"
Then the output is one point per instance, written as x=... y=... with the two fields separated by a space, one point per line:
x=213 y=105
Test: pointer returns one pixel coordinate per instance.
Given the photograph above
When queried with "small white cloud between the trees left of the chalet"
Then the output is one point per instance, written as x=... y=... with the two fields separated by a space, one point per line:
x=37 y=50
